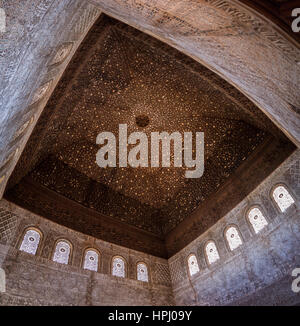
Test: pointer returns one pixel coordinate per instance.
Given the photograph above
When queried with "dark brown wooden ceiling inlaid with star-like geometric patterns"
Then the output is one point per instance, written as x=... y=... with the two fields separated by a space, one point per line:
x=122 y=76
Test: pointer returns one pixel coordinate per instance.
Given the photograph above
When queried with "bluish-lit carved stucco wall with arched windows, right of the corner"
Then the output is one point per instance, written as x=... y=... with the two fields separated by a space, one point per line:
x=259 y=272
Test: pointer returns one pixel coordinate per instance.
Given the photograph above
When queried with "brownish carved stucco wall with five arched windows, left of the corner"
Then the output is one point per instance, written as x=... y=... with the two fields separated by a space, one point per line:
x=37 y=280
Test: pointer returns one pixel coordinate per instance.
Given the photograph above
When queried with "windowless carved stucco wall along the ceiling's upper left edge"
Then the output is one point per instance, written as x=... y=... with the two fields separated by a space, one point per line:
x=40 y=39
